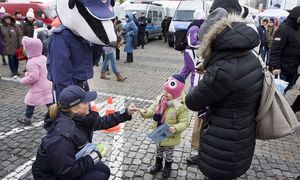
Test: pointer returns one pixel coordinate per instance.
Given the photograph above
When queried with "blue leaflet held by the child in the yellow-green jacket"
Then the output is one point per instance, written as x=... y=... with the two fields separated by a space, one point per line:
x=159 y=134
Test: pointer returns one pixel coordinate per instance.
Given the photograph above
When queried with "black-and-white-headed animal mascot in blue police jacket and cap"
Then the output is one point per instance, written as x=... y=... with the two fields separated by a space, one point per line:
x=86 y=26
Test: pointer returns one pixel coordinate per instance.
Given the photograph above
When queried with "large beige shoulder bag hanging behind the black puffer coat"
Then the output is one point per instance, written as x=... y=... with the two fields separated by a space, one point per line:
x=275 y=117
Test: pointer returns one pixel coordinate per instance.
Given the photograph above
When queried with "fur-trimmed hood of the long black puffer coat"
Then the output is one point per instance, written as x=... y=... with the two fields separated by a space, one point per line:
x=230 y=34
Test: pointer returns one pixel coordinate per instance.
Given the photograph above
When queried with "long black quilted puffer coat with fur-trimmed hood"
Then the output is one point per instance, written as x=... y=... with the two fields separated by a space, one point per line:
x=231 y=87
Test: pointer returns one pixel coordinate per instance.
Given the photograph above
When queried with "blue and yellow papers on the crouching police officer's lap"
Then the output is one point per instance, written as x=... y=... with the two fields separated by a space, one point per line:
x=89 y=147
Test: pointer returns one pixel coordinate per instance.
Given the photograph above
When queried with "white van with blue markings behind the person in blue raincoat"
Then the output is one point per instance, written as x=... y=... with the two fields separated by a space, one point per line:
x=155 y=14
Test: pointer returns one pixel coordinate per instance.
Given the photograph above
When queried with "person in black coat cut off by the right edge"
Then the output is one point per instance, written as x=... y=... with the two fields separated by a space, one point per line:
x=285 y=50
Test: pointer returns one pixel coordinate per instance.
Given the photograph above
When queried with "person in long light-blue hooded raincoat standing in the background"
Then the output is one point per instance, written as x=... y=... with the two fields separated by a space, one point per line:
x=130 y=31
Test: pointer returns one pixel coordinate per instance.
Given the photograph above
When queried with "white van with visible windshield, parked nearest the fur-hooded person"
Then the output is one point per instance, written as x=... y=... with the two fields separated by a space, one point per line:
x=183 y=17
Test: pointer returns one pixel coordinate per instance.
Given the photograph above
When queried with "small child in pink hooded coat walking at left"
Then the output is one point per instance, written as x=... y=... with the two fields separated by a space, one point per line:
x=40 y=88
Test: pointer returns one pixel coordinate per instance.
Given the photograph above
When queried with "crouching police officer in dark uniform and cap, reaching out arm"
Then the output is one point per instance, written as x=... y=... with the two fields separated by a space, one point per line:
x=70 y=126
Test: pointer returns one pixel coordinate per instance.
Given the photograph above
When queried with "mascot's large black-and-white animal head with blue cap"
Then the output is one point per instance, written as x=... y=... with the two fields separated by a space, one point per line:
x=90 y=19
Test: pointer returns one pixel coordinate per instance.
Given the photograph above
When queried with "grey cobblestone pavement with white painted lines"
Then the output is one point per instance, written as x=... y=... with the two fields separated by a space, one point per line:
x=131 y=152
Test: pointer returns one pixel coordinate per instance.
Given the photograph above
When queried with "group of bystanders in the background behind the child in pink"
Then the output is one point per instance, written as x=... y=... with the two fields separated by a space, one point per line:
x=13 y=28
